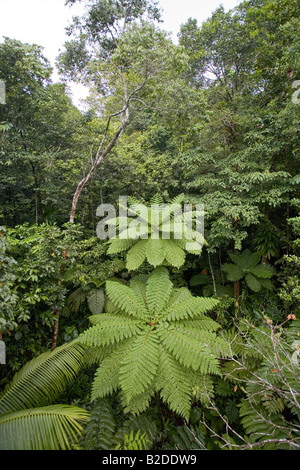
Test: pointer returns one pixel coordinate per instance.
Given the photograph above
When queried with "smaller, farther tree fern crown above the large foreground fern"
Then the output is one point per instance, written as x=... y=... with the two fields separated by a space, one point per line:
x=161 y=235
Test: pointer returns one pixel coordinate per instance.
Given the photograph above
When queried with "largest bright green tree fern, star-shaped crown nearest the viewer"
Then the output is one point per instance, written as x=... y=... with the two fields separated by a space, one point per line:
x=160 y=337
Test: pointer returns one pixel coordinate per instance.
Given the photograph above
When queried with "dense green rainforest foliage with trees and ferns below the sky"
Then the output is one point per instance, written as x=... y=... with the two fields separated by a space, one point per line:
x=154 y=345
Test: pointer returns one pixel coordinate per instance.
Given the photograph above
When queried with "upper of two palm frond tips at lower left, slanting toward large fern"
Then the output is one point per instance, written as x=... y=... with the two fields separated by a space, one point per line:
x=41 y=380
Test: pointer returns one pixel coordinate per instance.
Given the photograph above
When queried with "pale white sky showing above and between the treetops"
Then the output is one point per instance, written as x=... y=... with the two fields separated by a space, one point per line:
x=43 y=22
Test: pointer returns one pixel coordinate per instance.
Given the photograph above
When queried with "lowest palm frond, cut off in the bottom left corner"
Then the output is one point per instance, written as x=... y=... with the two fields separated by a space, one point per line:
x=54 y=427
